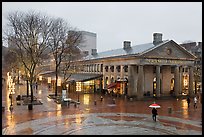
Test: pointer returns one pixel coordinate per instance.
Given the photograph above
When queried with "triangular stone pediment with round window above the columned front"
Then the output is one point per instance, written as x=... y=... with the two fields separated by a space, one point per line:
x=168 y=50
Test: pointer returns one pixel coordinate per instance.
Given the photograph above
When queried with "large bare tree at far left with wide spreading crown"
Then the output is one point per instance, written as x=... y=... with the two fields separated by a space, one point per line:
x=28 y=33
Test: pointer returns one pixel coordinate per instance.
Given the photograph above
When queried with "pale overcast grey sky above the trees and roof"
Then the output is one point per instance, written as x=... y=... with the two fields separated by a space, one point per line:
x=114 y=22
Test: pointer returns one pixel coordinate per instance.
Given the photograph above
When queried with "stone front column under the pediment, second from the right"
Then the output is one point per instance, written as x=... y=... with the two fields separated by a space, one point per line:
x=176 y=81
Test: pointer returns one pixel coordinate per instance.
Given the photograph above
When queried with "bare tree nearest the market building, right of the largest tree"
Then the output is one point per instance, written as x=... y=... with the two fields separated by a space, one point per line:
x=63 y=41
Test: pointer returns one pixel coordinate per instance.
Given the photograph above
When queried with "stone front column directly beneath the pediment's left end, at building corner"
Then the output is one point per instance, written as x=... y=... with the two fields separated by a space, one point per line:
x=140 y=82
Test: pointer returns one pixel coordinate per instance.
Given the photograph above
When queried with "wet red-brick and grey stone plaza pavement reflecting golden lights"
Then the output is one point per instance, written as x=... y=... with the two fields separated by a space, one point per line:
x=125 y=117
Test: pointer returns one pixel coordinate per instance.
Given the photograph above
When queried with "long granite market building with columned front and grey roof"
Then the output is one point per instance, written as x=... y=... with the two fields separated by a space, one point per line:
x=159 y=68
